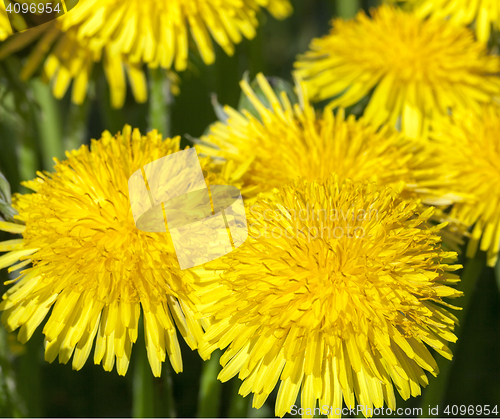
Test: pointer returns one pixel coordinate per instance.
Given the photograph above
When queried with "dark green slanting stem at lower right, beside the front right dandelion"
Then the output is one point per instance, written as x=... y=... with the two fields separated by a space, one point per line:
x=435 y=393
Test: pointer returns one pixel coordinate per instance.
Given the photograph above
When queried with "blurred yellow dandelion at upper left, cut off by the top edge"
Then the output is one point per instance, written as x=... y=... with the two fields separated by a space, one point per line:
x=125 y=34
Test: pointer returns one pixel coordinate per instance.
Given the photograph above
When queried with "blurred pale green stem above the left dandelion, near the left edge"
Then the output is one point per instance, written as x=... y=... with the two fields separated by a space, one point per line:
x=49 y=124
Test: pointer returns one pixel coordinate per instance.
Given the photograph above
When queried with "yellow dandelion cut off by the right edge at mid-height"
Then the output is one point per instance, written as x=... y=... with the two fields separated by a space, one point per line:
x=474 y=161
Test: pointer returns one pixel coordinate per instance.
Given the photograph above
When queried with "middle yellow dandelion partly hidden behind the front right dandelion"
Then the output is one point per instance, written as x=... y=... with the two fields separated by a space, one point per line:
x=285 y=142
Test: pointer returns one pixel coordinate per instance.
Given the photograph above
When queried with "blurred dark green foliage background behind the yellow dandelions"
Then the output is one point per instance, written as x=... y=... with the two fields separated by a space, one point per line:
x=35 y=127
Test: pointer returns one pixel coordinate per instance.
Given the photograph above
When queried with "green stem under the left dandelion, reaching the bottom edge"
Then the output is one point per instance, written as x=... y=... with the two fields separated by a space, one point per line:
x=143 y=400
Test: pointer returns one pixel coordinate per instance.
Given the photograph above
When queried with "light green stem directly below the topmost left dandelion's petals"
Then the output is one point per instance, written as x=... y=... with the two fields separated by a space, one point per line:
x=160 y=99
